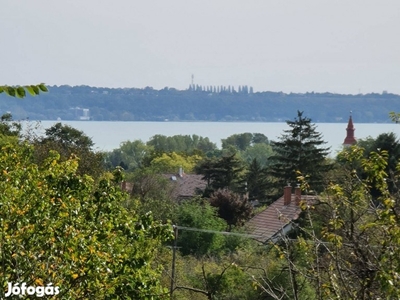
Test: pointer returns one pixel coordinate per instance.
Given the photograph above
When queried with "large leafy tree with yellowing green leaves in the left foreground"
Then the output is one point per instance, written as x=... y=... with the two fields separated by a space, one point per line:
x=59 y=227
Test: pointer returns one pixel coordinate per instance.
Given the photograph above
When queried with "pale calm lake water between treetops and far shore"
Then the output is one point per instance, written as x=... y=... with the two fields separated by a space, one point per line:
x=108 y=135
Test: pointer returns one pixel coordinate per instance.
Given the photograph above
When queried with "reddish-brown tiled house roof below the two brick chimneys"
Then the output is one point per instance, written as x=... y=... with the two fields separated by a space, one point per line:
x=273 y=220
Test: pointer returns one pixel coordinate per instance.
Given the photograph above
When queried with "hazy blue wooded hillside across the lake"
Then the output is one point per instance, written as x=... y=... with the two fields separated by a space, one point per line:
x=197 y=104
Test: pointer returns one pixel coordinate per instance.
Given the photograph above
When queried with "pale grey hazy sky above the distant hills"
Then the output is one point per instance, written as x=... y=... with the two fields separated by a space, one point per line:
x=337 y=46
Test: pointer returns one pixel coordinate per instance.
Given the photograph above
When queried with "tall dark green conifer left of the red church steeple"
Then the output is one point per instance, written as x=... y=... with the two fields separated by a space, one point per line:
x=300 y=150
